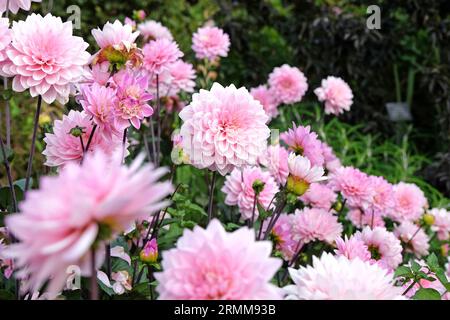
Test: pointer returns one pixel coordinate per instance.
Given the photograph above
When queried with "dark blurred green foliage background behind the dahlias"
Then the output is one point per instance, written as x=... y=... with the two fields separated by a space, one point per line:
x=322 y=37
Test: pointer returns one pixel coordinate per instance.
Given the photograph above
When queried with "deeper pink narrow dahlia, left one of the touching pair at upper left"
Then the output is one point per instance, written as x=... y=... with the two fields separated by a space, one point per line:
x=99 y=102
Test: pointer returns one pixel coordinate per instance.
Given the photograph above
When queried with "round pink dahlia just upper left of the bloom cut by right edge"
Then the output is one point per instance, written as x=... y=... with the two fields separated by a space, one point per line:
x=410 y=202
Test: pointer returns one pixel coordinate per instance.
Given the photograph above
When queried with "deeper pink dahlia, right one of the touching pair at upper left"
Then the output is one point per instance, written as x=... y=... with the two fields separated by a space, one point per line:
x=132 y=98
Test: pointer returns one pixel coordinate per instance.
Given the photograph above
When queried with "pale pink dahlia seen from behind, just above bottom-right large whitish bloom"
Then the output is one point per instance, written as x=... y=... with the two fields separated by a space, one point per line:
x=383 y=245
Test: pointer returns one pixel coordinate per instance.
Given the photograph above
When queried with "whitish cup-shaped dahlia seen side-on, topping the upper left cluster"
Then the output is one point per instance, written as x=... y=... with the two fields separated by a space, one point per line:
x=115 y=35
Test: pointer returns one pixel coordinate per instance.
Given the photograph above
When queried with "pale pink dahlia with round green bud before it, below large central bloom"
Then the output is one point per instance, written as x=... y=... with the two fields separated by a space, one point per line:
x=239 y=190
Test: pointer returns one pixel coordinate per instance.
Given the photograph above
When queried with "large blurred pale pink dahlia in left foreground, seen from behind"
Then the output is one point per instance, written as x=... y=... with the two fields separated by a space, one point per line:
x=59 y=223
